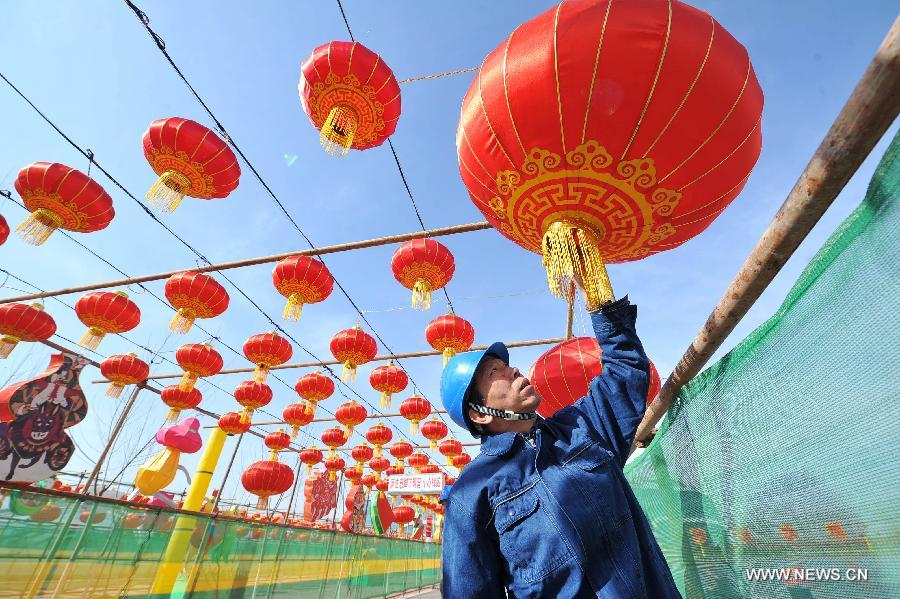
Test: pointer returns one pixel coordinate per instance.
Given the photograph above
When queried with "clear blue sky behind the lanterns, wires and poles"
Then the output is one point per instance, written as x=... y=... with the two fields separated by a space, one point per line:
x=91 y=67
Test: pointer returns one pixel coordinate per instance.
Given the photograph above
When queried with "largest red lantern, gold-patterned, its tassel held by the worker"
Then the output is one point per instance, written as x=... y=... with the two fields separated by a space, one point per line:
x=605 y=132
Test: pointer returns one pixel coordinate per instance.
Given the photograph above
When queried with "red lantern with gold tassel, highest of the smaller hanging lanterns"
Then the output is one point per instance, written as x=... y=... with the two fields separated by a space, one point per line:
x=350 y=95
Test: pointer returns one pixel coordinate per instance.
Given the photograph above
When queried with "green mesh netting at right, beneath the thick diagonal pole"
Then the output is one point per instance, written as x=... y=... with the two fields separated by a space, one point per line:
x=784 y=454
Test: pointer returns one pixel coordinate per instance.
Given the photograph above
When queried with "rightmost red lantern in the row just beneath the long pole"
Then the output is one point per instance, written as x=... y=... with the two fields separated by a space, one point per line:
x=424 y=266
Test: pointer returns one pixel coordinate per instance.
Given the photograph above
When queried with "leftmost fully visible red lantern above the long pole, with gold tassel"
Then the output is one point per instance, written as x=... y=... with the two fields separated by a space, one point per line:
x=60 y=197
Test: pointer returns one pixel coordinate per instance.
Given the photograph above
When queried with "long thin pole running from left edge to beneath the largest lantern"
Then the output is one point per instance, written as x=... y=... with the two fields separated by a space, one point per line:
x=331 y=249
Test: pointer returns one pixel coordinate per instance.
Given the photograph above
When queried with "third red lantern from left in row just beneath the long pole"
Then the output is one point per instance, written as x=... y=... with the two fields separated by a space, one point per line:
x=194 y=295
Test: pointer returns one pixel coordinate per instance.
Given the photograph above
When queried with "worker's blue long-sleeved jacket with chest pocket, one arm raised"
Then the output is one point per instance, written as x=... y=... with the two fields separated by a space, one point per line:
x=552 y=515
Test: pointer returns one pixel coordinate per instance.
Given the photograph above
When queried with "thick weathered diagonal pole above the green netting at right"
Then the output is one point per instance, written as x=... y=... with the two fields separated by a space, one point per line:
x=868 y=113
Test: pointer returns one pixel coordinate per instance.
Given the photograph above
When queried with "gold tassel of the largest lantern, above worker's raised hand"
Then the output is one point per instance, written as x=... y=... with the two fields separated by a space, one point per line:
x=568 y=251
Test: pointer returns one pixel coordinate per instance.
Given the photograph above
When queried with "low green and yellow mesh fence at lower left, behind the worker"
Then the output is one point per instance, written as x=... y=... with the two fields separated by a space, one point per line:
x=100 y=550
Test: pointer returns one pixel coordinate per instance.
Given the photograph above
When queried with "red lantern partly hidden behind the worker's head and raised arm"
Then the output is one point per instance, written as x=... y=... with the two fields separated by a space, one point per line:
x=562 y=375
